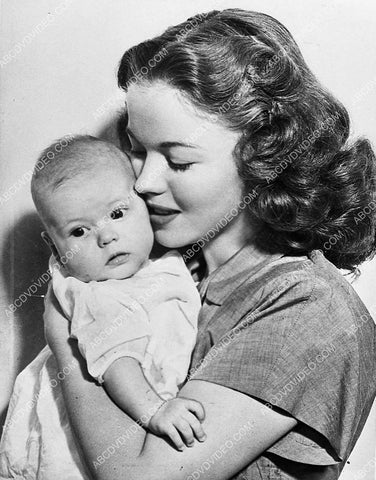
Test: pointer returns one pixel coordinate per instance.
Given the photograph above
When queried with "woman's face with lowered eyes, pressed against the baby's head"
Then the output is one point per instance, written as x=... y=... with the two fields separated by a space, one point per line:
x=184 y=165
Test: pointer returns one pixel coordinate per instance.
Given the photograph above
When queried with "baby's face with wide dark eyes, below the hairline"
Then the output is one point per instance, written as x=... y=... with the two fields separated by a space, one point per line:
x=101 y=219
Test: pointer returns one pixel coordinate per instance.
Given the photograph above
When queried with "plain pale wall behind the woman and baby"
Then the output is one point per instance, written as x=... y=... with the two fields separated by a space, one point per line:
x=60 y=77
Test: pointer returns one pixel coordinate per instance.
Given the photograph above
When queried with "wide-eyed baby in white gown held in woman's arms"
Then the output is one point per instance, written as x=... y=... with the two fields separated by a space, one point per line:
x=135 y=319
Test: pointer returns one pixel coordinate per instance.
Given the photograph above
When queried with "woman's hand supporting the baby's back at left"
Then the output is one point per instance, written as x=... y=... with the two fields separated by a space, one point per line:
x=56 y=326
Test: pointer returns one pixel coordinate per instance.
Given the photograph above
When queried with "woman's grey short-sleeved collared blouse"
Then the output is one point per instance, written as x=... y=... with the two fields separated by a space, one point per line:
x=292 y=333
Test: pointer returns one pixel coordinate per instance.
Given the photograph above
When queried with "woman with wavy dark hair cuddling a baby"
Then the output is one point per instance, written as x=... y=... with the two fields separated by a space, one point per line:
x=240 y=152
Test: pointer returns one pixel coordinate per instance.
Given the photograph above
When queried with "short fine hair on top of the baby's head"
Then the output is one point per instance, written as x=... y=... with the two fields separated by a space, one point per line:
x=70 y=157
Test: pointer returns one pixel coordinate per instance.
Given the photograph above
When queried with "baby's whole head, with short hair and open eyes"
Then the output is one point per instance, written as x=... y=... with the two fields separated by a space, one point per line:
x=85 y=198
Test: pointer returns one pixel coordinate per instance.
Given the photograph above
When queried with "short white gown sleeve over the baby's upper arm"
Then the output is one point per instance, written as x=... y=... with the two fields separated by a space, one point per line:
x=107 y=326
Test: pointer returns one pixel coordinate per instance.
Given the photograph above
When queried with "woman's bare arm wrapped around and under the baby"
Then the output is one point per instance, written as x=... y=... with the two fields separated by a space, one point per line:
x=115 y=447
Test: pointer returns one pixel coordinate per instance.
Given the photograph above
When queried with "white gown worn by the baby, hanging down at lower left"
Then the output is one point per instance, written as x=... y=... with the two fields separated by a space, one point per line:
x=151 y=316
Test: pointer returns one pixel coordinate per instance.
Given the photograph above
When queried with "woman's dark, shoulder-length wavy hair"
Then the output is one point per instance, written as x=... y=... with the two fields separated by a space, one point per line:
x=311 y=188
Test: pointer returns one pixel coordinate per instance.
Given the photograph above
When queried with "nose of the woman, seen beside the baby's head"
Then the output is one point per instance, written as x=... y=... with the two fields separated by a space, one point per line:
x=151 y=177
